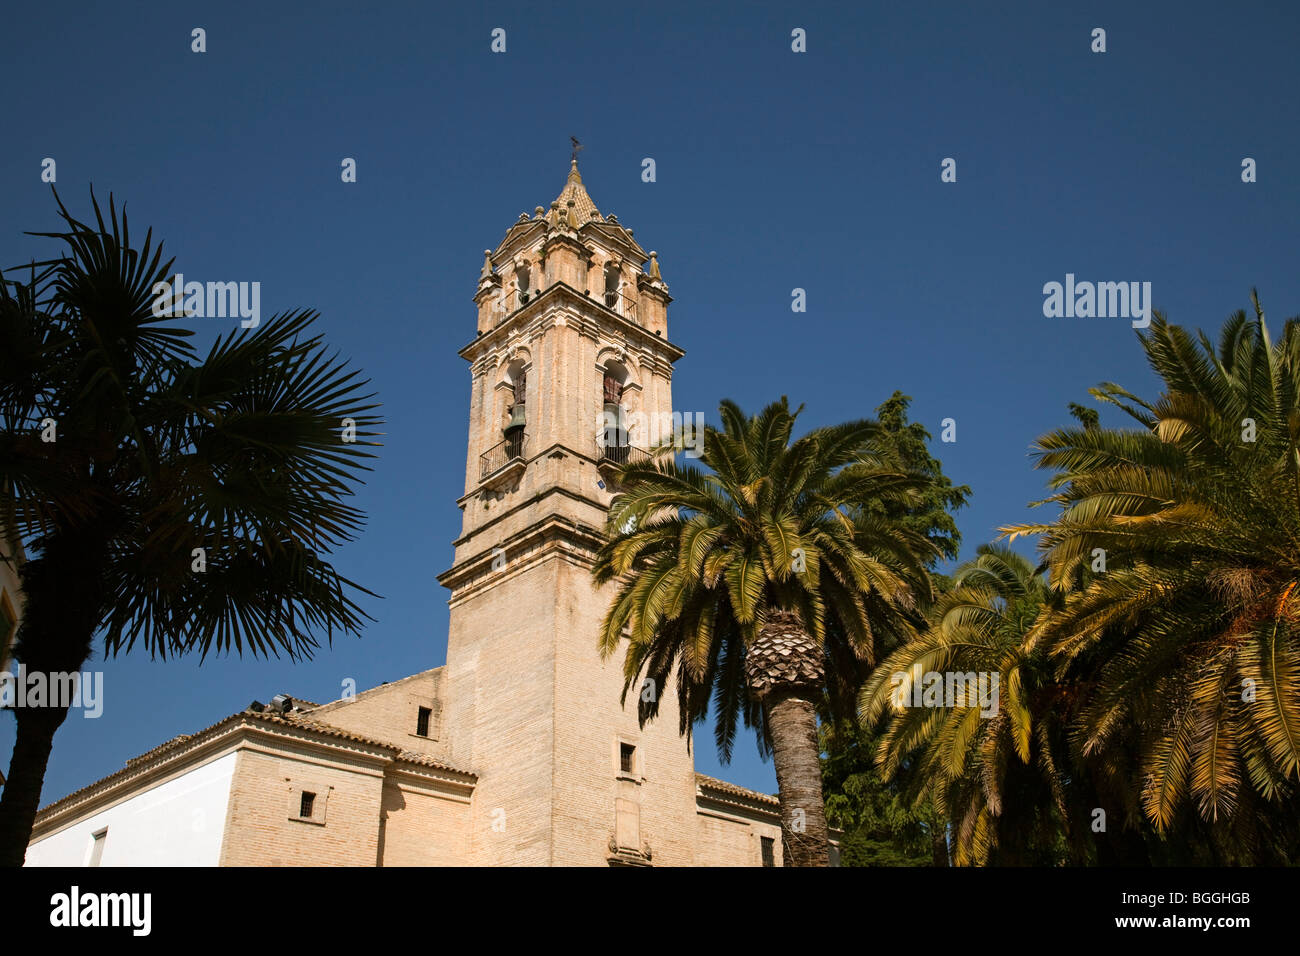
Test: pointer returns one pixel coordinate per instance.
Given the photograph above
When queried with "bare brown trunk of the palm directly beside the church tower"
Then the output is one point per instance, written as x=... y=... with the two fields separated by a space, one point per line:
x=792 y=726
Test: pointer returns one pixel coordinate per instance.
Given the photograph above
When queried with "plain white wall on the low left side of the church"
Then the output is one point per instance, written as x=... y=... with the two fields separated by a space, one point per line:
x=176 y=824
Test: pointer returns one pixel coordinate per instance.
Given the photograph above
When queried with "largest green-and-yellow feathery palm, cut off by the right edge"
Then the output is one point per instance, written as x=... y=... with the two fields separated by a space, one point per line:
x=1191 y=624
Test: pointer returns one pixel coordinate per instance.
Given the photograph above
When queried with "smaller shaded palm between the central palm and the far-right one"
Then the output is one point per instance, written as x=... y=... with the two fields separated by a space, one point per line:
x=993 y=765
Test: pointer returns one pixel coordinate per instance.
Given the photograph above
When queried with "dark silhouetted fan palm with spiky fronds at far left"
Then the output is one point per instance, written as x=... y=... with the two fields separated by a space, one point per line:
x=180 y=504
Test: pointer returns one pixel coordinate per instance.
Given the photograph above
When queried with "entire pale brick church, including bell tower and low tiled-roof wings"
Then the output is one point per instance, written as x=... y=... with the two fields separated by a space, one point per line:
x=517 y=751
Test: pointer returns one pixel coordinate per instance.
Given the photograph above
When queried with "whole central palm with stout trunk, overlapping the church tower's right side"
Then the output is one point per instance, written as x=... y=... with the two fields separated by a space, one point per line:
x=764 y=583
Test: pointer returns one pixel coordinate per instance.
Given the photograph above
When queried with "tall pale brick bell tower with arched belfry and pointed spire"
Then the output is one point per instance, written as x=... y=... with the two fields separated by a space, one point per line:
x=571 y=374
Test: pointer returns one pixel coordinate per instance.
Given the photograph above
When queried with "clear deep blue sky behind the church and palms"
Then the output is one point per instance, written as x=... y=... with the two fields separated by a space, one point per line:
x=775 y=171
